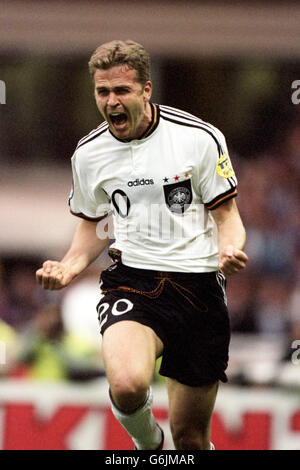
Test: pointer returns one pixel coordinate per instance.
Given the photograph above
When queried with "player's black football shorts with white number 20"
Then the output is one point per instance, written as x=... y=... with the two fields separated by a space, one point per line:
x=186 y=310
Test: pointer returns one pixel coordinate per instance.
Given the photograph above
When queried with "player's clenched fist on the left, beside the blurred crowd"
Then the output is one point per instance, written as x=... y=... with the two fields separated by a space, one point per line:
x=54 y=275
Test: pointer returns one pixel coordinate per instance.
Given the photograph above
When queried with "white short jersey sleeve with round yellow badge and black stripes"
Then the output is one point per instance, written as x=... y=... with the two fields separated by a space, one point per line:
x=218 y=182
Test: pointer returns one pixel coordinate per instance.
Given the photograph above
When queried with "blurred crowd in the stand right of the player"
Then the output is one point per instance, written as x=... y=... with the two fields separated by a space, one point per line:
x=264 y=299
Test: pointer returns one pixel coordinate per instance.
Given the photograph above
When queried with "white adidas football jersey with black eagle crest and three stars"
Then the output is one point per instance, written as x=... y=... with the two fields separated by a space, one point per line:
x=160 y=188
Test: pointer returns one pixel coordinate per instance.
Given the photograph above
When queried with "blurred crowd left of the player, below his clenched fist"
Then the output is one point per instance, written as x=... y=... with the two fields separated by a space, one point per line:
x=44 y=339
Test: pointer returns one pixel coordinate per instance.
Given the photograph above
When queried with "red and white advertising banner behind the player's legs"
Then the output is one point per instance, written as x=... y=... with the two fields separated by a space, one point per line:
x=48 y=420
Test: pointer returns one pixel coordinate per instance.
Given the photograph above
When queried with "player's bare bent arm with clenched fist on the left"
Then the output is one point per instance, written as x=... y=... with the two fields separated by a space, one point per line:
x=84 y=249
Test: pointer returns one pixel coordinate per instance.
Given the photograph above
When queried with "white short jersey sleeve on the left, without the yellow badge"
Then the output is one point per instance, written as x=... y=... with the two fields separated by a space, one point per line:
x=84 y=201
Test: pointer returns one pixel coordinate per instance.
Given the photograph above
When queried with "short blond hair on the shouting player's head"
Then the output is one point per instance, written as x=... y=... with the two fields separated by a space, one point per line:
x=118 y=52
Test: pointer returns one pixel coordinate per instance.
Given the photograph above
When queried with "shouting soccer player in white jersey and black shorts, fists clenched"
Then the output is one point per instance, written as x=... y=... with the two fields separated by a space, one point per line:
x=165 y=177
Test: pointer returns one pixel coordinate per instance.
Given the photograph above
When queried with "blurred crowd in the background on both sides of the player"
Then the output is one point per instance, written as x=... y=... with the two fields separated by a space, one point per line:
x=55 y=335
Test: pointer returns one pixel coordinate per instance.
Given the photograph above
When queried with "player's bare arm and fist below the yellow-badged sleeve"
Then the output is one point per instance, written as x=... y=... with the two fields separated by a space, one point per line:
x=231 y=238
